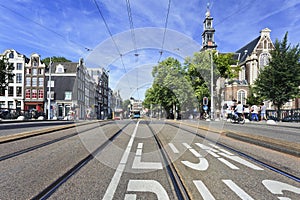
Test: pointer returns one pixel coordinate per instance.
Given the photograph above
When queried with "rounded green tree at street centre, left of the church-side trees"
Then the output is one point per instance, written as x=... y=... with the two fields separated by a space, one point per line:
x=170 y=88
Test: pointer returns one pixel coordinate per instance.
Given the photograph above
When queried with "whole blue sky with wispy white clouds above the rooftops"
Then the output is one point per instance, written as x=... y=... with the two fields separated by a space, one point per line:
x=105 y=34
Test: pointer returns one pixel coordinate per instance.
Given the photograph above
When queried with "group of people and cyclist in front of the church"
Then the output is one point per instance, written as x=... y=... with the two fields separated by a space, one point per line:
x=253 y=112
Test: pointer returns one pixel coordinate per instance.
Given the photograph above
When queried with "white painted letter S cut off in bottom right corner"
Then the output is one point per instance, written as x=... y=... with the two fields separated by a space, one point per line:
x=277 y=187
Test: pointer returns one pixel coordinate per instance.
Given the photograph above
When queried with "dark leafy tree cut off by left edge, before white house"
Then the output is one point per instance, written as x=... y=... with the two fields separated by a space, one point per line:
x=6 y=73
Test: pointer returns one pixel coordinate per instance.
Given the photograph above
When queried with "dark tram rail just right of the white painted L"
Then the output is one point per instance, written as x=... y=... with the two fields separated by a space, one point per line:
x=178 y=185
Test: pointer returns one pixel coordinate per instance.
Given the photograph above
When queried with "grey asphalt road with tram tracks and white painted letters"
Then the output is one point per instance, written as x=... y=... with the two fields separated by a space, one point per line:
x=131 y=165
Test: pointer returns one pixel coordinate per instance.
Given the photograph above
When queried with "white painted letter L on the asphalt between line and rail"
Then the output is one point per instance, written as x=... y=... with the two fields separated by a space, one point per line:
x=138 y=164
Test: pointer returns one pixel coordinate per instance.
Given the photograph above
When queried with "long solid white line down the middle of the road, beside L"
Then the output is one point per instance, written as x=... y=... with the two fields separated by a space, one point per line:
x=109 y=194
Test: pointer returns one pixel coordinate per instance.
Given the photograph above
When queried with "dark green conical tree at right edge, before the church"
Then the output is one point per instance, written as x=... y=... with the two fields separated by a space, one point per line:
x=280 y=80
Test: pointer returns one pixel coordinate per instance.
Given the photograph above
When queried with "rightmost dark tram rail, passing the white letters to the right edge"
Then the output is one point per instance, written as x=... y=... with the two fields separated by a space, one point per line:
x=275 y=169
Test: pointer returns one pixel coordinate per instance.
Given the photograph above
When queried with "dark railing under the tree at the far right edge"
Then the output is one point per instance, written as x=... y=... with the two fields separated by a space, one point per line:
x=292 y=115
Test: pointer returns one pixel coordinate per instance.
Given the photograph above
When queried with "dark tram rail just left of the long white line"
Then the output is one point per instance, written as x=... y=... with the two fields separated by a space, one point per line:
x=47 y=192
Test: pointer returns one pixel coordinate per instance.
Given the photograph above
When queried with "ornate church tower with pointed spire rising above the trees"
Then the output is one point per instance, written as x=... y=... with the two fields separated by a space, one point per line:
x=208 y=40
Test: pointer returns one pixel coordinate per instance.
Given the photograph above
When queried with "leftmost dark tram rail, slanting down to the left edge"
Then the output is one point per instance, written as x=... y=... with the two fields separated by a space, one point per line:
x=32 y=148
